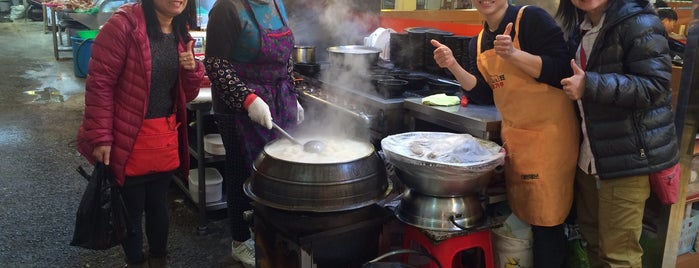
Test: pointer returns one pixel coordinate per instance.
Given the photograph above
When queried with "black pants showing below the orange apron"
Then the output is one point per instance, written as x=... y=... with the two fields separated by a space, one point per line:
x=550 y=246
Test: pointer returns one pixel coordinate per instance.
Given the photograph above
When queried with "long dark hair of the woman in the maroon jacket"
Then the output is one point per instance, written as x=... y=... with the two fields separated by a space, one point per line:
x=180 y=23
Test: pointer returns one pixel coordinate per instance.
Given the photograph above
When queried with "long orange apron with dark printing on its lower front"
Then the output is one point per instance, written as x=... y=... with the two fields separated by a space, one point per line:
x=540 y=132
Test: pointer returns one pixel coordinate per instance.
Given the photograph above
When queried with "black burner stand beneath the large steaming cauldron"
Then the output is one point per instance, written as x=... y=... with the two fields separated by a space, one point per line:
x=335 y=239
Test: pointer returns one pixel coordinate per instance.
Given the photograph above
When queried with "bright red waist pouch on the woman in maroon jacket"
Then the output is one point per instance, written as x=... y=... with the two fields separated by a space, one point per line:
x=155 y=149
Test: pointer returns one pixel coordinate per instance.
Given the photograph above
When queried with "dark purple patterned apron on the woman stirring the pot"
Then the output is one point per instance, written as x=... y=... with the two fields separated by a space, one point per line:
x=268 y=76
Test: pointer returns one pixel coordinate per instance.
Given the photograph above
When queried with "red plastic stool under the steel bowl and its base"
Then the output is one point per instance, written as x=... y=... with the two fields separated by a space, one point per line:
x=446 y=250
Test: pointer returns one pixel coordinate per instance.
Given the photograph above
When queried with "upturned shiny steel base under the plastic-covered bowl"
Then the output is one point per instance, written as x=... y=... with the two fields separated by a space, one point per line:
x=439 y=213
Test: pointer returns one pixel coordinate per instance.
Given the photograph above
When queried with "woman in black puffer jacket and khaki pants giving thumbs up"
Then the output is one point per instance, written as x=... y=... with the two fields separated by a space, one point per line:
x=621 y=82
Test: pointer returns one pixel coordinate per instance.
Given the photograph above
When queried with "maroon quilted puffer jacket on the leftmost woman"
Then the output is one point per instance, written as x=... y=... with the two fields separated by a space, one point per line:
x=117 y=90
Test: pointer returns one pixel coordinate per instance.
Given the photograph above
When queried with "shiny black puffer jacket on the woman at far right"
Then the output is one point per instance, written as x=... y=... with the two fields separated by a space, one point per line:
x=627 y=99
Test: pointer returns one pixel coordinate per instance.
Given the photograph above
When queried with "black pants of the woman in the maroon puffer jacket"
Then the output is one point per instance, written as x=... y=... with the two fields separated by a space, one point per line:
x=147 y=195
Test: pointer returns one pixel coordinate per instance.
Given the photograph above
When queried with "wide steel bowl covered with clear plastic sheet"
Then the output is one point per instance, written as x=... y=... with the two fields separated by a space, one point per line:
x=442 y=163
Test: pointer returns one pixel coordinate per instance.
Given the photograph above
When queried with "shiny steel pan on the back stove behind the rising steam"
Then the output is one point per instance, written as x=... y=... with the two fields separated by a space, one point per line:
x=353 y=56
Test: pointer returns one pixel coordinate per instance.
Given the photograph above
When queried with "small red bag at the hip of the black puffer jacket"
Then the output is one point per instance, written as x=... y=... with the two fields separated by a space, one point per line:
x=665 y=184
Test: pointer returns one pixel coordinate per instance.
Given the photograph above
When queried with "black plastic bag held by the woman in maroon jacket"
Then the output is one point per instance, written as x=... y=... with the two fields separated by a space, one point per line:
x=102 y=220
